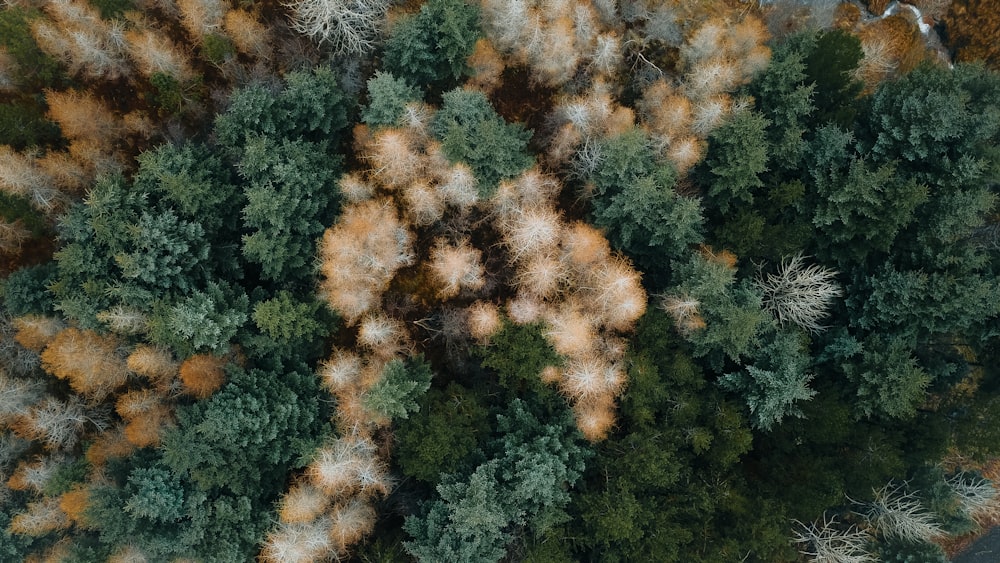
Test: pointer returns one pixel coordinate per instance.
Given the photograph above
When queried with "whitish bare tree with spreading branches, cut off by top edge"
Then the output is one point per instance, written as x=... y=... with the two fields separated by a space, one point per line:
x=348 y=26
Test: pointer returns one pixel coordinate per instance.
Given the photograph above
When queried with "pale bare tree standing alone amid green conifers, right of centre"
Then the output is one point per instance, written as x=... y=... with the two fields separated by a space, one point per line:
x=800 y=294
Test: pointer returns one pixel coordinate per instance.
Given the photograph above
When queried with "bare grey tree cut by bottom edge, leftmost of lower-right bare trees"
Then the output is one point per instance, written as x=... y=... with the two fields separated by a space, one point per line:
x=825 y=542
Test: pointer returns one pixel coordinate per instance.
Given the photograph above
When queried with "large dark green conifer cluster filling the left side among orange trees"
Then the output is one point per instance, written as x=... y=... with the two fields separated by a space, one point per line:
x=209 y=245
